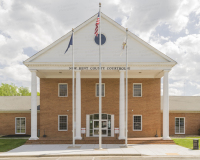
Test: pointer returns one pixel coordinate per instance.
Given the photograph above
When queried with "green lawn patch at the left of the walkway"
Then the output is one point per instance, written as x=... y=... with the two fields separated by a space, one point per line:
x=8 y=144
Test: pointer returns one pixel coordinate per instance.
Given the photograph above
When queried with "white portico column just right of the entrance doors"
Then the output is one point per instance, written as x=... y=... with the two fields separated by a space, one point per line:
x=121 y=107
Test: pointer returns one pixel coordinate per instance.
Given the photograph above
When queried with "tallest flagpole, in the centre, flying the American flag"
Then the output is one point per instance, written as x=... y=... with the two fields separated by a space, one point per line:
x=100 y=138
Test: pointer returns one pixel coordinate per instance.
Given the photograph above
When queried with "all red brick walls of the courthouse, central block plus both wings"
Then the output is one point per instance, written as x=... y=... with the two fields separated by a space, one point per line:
x=148 y=106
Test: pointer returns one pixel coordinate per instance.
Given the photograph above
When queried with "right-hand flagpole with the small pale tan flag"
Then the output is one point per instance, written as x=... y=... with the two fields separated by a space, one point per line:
x=126 y=88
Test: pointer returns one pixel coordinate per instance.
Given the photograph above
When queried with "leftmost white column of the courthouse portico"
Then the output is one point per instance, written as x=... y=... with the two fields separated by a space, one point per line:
x=33 y=105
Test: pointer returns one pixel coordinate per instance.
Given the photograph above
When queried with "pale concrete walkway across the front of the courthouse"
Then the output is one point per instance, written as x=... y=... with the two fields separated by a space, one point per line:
x=108 y=150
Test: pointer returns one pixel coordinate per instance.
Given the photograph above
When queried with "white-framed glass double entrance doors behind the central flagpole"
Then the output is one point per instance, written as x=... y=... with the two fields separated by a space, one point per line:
x=104 y=128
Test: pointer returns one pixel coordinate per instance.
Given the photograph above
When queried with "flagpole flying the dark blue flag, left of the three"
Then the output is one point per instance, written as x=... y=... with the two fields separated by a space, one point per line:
x=73 y=84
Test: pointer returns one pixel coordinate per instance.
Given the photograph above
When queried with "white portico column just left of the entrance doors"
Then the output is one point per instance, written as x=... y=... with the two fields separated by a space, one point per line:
x=78 y=105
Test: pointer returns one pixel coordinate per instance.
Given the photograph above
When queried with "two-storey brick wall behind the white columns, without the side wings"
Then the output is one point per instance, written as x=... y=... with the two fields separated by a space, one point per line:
x=148 y=105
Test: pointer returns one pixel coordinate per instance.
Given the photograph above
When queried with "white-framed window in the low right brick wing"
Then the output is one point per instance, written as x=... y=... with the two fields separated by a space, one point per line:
x=180 y=125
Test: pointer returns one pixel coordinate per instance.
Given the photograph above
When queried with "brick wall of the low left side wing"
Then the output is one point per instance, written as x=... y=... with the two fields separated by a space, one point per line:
x=7 y=122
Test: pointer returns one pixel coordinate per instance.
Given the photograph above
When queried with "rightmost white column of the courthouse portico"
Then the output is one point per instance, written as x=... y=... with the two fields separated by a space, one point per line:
x=165 y=106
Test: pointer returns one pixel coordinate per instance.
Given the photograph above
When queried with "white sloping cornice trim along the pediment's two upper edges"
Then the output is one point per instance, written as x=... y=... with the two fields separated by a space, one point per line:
x=168 y=59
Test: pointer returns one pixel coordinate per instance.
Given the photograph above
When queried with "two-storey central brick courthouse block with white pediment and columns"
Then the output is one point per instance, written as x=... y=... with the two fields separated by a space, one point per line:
x=148 y=115
